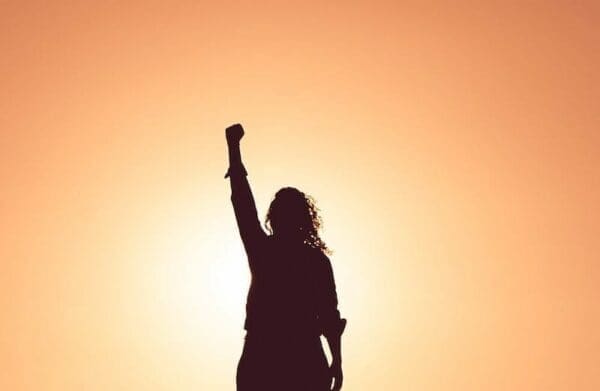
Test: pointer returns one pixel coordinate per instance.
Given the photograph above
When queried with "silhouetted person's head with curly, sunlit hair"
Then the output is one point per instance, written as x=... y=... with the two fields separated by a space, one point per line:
x=294 y=216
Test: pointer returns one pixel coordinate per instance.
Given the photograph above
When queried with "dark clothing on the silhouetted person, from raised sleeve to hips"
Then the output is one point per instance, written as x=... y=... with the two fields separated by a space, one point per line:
x=291 y=302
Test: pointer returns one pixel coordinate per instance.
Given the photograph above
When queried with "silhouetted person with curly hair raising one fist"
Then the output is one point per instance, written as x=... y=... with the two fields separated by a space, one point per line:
x=292 y=299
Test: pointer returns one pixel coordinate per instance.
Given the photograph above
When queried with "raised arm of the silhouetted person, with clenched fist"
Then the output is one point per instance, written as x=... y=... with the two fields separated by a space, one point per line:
x=244 y=206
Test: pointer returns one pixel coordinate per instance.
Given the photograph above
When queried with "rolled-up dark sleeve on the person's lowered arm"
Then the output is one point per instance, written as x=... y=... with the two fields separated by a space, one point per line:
x=331 y=323
